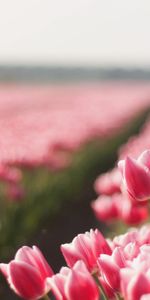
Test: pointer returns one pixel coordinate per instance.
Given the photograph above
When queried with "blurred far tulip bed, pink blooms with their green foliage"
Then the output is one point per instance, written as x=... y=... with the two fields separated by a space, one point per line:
x=102 y=115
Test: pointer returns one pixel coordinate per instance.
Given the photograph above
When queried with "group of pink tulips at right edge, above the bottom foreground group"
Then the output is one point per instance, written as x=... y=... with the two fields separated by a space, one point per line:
x=125 y=191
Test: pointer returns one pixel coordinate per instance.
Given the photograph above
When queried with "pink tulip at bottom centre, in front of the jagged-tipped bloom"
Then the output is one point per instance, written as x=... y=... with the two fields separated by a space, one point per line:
x=74 y=284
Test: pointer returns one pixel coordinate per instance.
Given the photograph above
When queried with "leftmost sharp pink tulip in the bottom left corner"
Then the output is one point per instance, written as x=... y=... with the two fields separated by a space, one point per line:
x=27 y=273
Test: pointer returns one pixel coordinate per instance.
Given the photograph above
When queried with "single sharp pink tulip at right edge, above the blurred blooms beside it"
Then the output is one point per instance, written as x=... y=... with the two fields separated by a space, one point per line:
x=136 y=178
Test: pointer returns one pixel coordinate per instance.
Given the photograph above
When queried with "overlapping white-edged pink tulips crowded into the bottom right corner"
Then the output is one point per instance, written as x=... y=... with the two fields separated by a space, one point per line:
x=127 y=269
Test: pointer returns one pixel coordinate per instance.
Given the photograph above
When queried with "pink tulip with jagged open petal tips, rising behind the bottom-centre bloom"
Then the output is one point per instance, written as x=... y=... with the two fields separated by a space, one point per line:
x=86 y=247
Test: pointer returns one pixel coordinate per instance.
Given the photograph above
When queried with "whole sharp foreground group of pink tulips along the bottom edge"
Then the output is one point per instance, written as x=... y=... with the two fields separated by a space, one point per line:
x=116 y=269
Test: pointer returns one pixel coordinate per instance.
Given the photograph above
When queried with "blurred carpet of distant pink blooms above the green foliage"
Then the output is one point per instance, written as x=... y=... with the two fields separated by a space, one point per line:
x=37 y=122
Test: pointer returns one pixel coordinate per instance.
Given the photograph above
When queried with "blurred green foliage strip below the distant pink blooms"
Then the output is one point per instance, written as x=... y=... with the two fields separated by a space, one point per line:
x=20 y=221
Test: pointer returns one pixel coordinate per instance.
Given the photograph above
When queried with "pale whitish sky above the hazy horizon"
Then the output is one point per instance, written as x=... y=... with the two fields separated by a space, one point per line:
x=82 y=32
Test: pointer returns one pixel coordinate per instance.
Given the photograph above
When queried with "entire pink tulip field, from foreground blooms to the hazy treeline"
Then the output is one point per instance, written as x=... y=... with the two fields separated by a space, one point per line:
x=75 y=191
